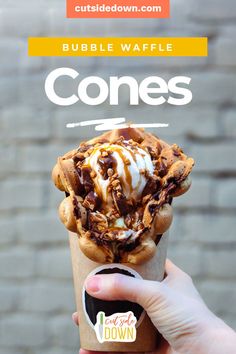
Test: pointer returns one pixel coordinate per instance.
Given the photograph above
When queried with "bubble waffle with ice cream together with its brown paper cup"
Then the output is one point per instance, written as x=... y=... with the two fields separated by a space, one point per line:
x=119 y=189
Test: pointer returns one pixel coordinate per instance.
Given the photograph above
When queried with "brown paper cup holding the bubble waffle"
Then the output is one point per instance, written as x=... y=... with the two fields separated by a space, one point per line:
x=146 y=337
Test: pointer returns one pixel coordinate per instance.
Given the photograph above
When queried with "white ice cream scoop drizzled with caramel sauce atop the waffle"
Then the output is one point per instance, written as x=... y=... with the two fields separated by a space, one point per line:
x=128 y=162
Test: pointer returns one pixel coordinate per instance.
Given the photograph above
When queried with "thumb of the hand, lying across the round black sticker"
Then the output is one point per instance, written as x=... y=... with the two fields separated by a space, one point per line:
x=122 y=287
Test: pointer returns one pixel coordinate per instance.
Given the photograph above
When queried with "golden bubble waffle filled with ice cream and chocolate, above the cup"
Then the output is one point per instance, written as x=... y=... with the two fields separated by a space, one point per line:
x=119 y=188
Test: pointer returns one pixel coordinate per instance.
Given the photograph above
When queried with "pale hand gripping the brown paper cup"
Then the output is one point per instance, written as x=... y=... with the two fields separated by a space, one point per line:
x=175 y=308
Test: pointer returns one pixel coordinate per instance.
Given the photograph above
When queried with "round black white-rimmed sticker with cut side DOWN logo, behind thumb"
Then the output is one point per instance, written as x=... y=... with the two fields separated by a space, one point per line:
x=114 y=321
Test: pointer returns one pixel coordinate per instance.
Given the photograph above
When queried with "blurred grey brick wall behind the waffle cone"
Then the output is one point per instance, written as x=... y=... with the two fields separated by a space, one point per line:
x=36 y=291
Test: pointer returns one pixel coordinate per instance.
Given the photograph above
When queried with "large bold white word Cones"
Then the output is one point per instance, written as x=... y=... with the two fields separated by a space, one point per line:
x=152 y=90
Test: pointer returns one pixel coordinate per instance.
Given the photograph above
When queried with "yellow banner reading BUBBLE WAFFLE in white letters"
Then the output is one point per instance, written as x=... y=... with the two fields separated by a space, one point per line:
x=135 y=46
